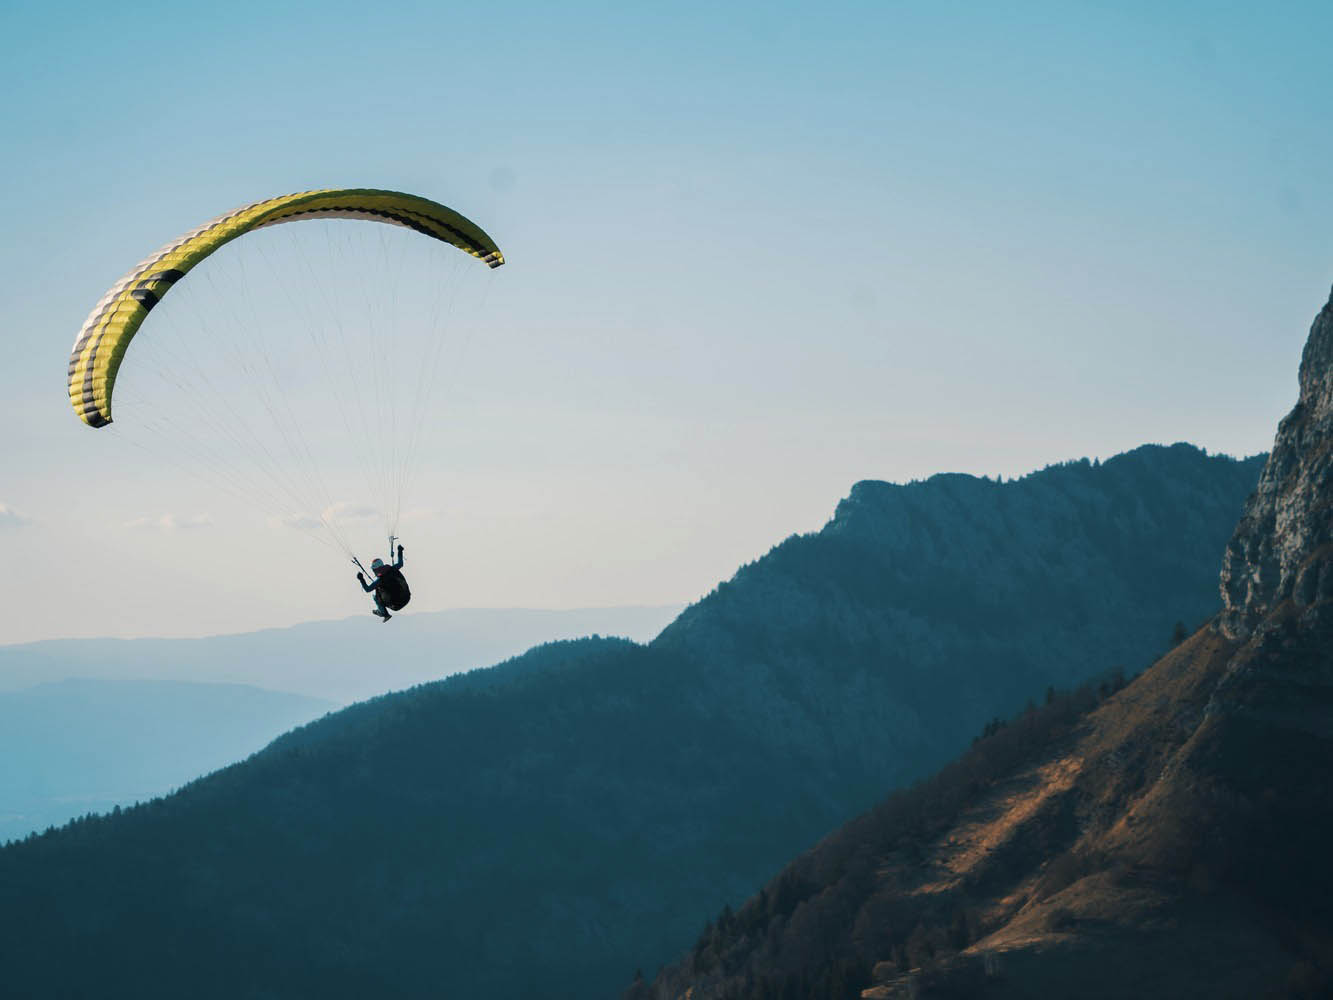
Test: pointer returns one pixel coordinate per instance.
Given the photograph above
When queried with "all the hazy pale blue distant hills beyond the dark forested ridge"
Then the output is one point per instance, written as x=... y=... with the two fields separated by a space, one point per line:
x=94 y=734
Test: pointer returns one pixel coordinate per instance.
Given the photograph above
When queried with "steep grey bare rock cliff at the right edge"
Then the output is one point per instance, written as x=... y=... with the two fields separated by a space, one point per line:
x=1280 y=561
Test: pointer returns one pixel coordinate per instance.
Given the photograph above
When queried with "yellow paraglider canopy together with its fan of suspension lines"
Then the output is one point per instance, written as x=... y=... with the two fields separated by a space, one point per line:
x=275 y=365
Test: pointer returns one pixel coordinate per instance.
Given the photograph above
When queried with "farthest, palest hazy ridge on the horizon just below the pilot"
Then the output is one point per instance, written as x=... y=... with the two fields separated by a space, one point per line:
x=343 y=661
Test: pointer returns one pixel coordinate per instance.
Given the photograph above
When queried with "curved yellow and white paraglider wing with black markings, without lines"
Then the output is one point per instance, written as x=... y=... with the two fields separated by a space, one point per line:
x=105 y=338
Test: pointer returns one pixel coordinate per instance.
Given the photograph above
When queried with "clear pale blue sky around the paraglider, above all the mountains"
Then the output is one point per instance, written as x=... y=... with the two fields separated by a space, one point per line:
x=756 y=253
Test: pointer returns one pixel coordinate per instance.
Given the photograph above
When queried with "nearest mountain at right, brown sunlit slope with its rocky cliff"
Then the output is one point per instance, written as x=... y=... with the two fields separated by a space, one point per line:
x=1162 y=839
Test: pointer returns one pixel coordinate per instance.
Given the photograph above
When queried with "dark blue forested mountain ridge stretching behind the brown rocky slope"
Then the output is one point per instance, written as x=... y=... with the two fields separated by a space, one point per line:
x=531 y=829
